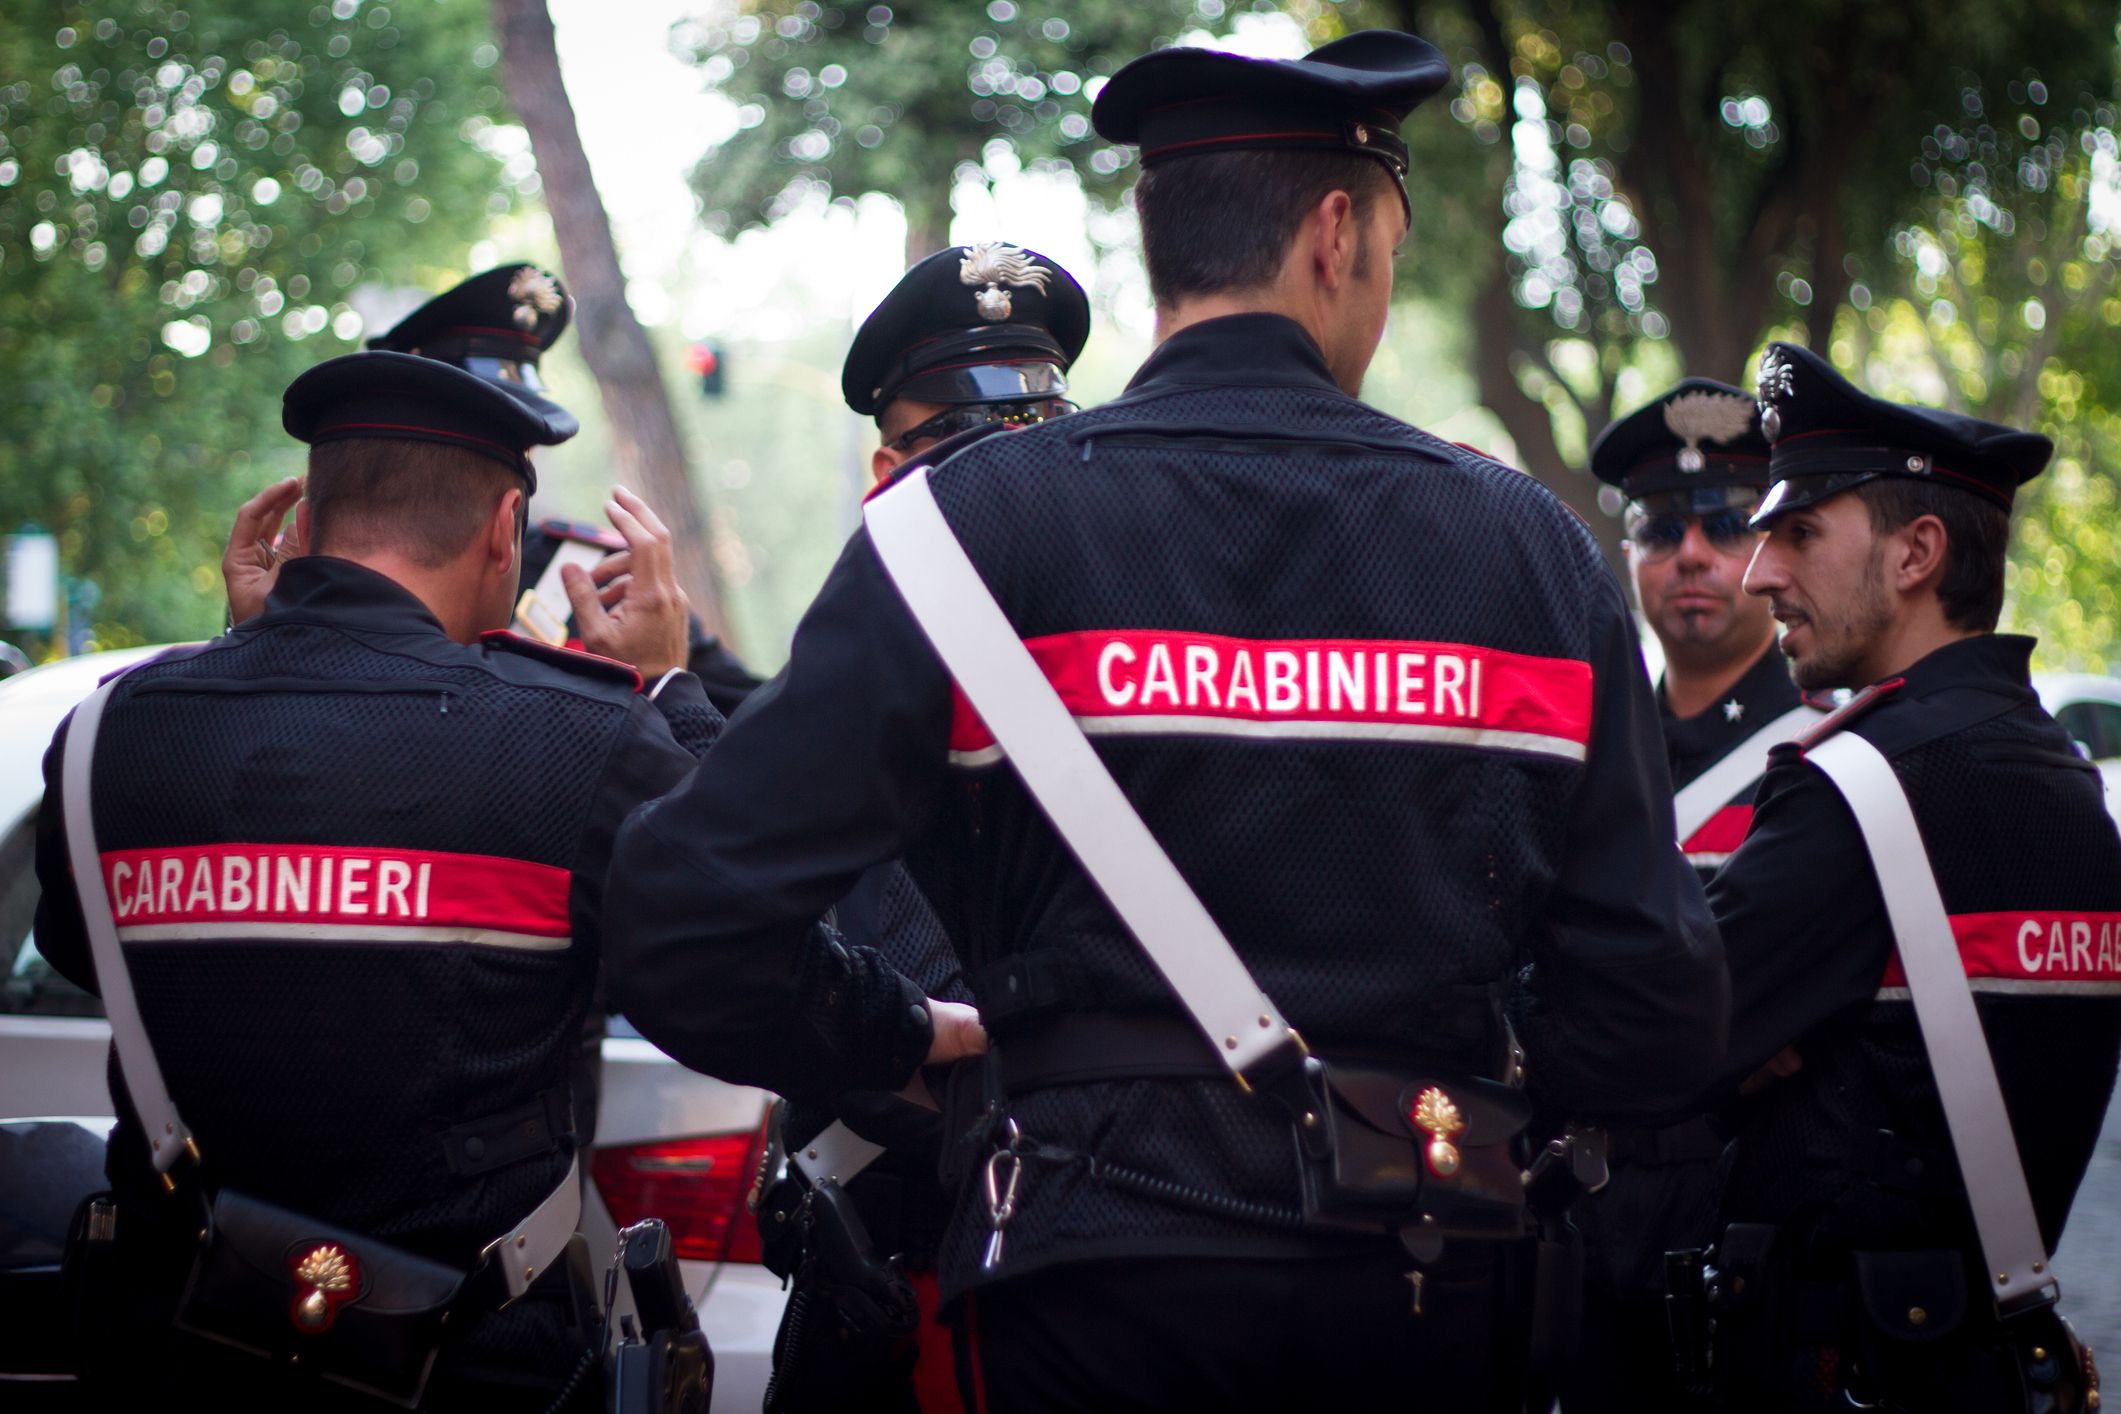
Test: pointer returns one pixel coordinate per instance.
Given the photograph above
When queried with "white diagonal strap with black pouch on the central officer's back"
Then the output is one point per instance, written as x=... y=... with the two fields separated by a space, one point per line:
x=1382 y=1150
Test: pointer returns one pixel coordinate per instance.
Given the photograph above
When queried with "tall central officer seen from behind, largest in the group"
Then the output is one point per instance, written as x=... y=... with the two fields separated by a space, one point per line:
x=1384 y=853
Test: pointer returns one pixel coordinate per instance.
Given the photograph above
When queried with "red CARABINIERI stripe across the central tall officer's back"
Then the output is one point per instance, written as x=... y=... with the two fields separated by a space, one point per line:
x=1168 y=684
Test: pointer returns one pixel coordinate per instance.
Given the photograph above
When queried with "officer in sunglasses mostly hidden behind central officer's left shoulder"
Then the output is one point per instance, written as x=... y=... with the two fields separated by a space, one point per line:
x=943 y=361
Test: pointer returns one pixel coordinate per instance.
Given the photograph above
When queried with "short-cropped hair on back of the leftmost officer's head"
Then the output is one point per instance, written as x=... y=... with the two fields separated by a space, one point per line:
x=419 y=499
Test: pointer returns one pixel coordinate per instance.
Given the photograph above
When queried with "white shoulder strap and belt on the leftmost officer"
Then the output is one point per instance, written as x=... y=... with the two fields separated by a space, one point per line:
x=523 y=1252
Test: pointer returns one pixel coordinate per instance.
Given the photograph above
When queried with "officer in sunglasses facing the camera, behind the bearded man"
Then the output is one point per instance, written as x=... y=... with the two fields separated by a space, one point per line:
x=1694 y=467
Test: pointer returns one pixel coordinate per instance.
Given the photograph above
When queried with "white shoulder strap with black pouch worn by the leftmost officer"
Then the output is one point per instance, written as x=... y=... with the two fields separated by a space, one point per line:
x=300 y=1292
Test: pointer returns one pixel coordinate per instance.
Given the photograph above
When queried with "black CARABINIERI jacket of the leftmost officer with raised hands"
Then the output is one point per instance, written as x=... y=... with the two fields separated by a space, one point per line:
x=360 y=879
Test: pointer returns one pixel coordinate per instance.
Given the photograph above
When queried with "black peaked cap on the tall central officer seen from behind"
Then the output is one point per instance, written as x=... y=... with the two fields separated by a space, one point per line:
x=1348 y=96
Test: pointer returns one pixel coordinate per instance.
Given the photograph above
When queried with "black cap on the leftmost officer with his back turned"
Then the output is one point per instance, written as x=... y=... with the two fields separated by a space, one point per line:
x=402 y=395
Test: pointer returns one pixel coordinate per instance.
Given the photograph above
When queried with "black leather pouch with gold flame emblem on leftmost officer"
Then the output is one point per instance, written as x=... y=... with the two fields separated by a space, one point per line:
x=306 y=1294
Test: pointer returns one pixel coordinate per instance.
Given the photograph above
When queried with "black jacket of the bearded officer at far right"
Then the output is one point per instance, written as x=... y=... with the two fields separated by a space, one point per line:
x=2031 y=872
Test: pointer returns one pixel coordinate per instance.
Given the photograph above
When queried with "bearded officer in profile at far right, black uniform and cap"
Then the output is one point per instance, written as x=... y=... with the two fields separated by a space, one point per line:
x=1848 y=1271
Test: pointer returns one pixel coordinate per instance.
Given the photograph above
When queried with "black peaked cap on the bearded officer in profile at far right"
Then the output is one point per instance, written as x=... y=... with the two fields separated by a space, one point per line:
x=1829 y=436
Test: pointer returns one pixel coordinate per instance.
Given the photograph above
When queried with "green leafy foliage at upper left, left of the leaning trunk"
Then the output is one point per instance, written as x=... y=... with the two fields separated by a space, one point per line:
x=188 y=202
